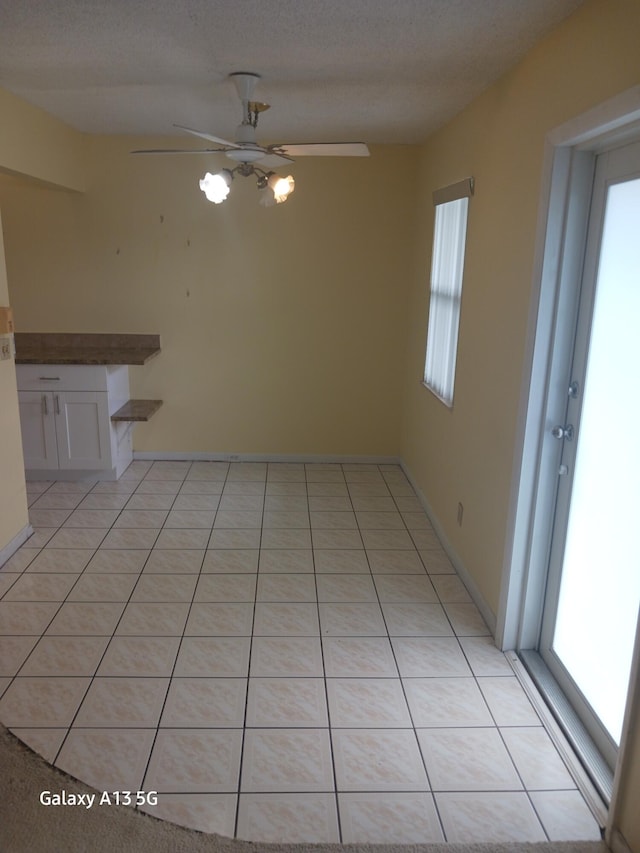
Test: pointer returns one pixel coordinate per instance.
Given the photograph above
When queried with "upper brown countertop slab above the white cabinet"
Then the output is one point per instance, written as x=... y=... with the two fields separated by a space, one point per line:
x=71 y=348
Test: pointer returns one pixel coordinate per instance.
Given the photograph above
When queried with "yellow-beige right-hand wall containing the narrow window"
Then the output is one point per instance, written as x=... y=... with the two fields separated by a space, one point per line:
x=466 y=454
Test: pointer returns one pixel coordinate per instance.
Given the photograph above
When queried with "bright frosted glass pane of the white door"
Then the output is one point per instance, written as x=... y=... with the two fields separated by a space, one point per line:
x=600 y=586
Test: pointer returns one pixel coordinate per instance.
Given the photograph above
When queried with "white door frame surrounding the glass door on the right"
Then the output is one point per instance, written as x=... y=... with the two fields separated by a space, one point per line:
x=567 y=179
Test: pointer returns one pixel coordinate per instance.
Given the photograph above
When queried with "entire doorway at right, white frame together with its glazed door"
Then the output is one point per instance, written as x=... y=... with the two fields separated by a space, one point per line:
x=570 y=601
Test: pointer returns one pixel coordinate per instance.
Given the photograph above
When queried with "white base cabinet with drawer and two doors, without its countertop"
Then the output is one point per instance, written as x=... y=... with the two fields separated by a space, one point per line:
x=65 y=417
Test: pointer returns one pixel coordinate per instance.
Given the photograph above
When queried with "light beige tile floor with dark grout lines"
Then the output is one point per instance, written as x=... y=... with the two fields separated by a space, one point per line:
x=282 y=651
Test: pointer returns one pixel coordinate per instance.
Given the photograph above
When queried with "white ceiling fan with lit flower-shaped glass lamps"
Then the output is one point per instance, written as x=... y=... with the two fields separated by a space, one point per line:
x=251 y=157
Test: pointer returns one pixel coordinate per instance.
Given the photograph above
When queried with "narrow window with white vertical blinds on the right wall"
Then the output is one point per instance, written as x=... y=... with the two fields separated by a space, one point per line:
x=447 y=267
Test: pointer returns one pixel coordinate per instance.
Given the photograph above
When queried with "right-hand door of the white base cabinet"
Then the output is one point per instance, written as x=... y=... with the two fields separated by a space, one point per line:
x=82 y=429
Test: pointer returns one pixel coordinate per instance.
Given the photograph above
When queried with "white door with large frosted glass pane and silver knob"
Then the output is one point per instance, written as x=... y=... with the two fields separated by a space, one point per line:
x=593 y=589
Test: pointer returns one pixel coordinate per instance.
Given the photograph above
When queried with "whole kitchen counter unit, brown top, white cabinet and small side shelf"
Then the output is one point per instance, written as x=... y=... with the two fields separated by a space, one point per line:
x=75 y=408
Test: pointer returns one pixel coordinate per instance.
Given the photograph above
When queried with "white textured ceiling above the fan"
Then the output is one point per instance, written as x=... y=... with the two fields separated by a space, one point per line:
x=380 y=71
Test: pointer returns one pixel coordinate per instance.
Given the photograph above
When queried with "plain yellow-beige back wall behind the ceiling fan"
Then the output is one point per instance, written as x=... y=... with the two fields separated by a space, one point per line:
x=282 y=328
